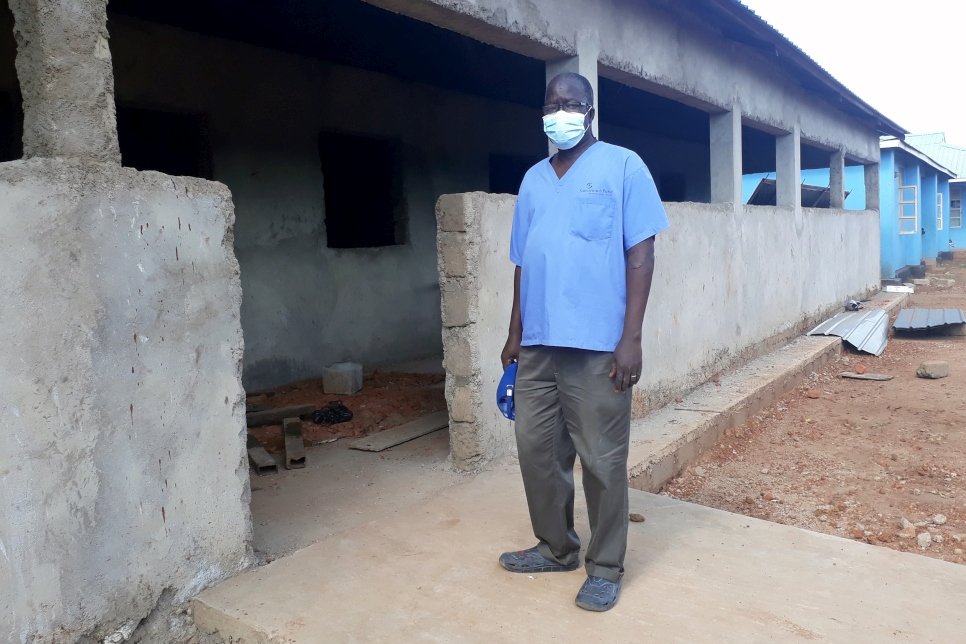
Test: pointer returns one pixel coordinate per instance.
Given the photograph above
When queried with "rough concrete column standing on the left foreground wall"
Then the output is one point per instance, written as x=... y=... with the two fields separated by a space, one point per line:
x=66 y=79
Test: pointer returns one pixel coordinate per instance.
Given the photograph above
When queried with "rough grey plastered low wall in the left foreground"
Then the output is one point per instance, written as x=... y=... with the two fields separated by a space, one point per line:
x=123 y=475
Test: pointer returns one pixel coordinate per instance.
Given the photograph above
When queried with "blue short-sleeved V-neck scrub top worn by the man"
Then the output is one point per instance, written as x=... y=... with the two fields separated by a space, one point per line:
x=569 y=237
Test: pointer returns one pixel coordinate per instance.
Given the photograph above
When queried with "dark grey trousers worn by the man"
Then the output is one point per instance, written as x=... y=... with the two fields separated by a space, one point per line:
x=566 y=405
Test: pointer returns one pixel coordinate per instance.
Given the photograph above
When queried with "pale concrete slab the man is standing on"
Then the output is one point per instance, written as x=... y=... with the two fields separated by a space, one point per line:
x=429 y=574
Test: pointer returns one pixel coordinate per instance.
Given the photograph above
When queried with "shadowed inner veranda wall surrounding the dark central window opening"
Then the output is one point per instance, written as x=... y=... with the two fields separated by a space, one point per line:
x=305 y=305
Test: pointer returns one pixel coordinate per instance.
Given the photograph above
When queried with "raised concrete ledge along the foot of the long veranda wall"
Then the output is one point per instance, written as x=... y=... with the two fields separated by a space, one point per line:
x=668 y=439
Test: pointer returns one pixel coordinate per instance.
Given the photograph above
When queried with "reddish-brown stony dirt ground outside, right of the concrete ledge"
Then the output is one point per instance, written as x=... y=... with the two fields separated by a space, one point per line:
x=880 y=462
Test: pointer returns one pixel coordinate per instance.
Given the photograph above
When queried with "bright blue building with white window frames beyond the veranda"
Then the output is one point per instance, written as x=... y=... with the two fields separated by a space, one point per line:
x=915 y=204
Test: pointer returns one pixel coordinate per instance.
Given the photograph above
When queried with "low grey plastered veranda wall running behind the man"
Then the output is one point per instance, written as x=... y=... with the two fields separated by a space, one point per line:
x=726 y=284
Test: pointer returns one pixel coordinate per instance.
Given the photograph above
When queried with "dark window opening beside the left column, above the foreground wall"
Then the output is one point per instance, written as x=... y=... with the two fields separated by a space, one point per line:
x=168 y=142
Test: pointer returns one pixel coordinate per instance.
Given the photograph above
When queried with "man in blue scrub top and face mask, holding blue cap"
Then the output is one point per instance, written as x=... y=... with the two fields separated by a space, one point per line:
x=583 y=245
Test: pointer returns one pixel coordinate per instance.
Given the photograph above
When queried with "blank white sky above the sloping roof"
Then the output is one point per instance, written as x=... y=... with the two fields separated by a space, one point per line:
x=903 y=58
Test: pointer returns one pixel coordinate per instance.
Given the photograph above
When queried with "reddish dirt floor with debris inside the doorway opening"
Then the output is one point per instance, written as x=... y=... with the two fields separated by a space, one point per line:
x=386 y=400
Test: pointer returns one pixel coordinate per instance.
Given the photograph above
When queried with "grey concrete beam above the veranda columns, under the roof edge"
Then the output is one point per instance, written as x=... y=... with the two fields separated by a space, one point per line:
x=656 y=46
